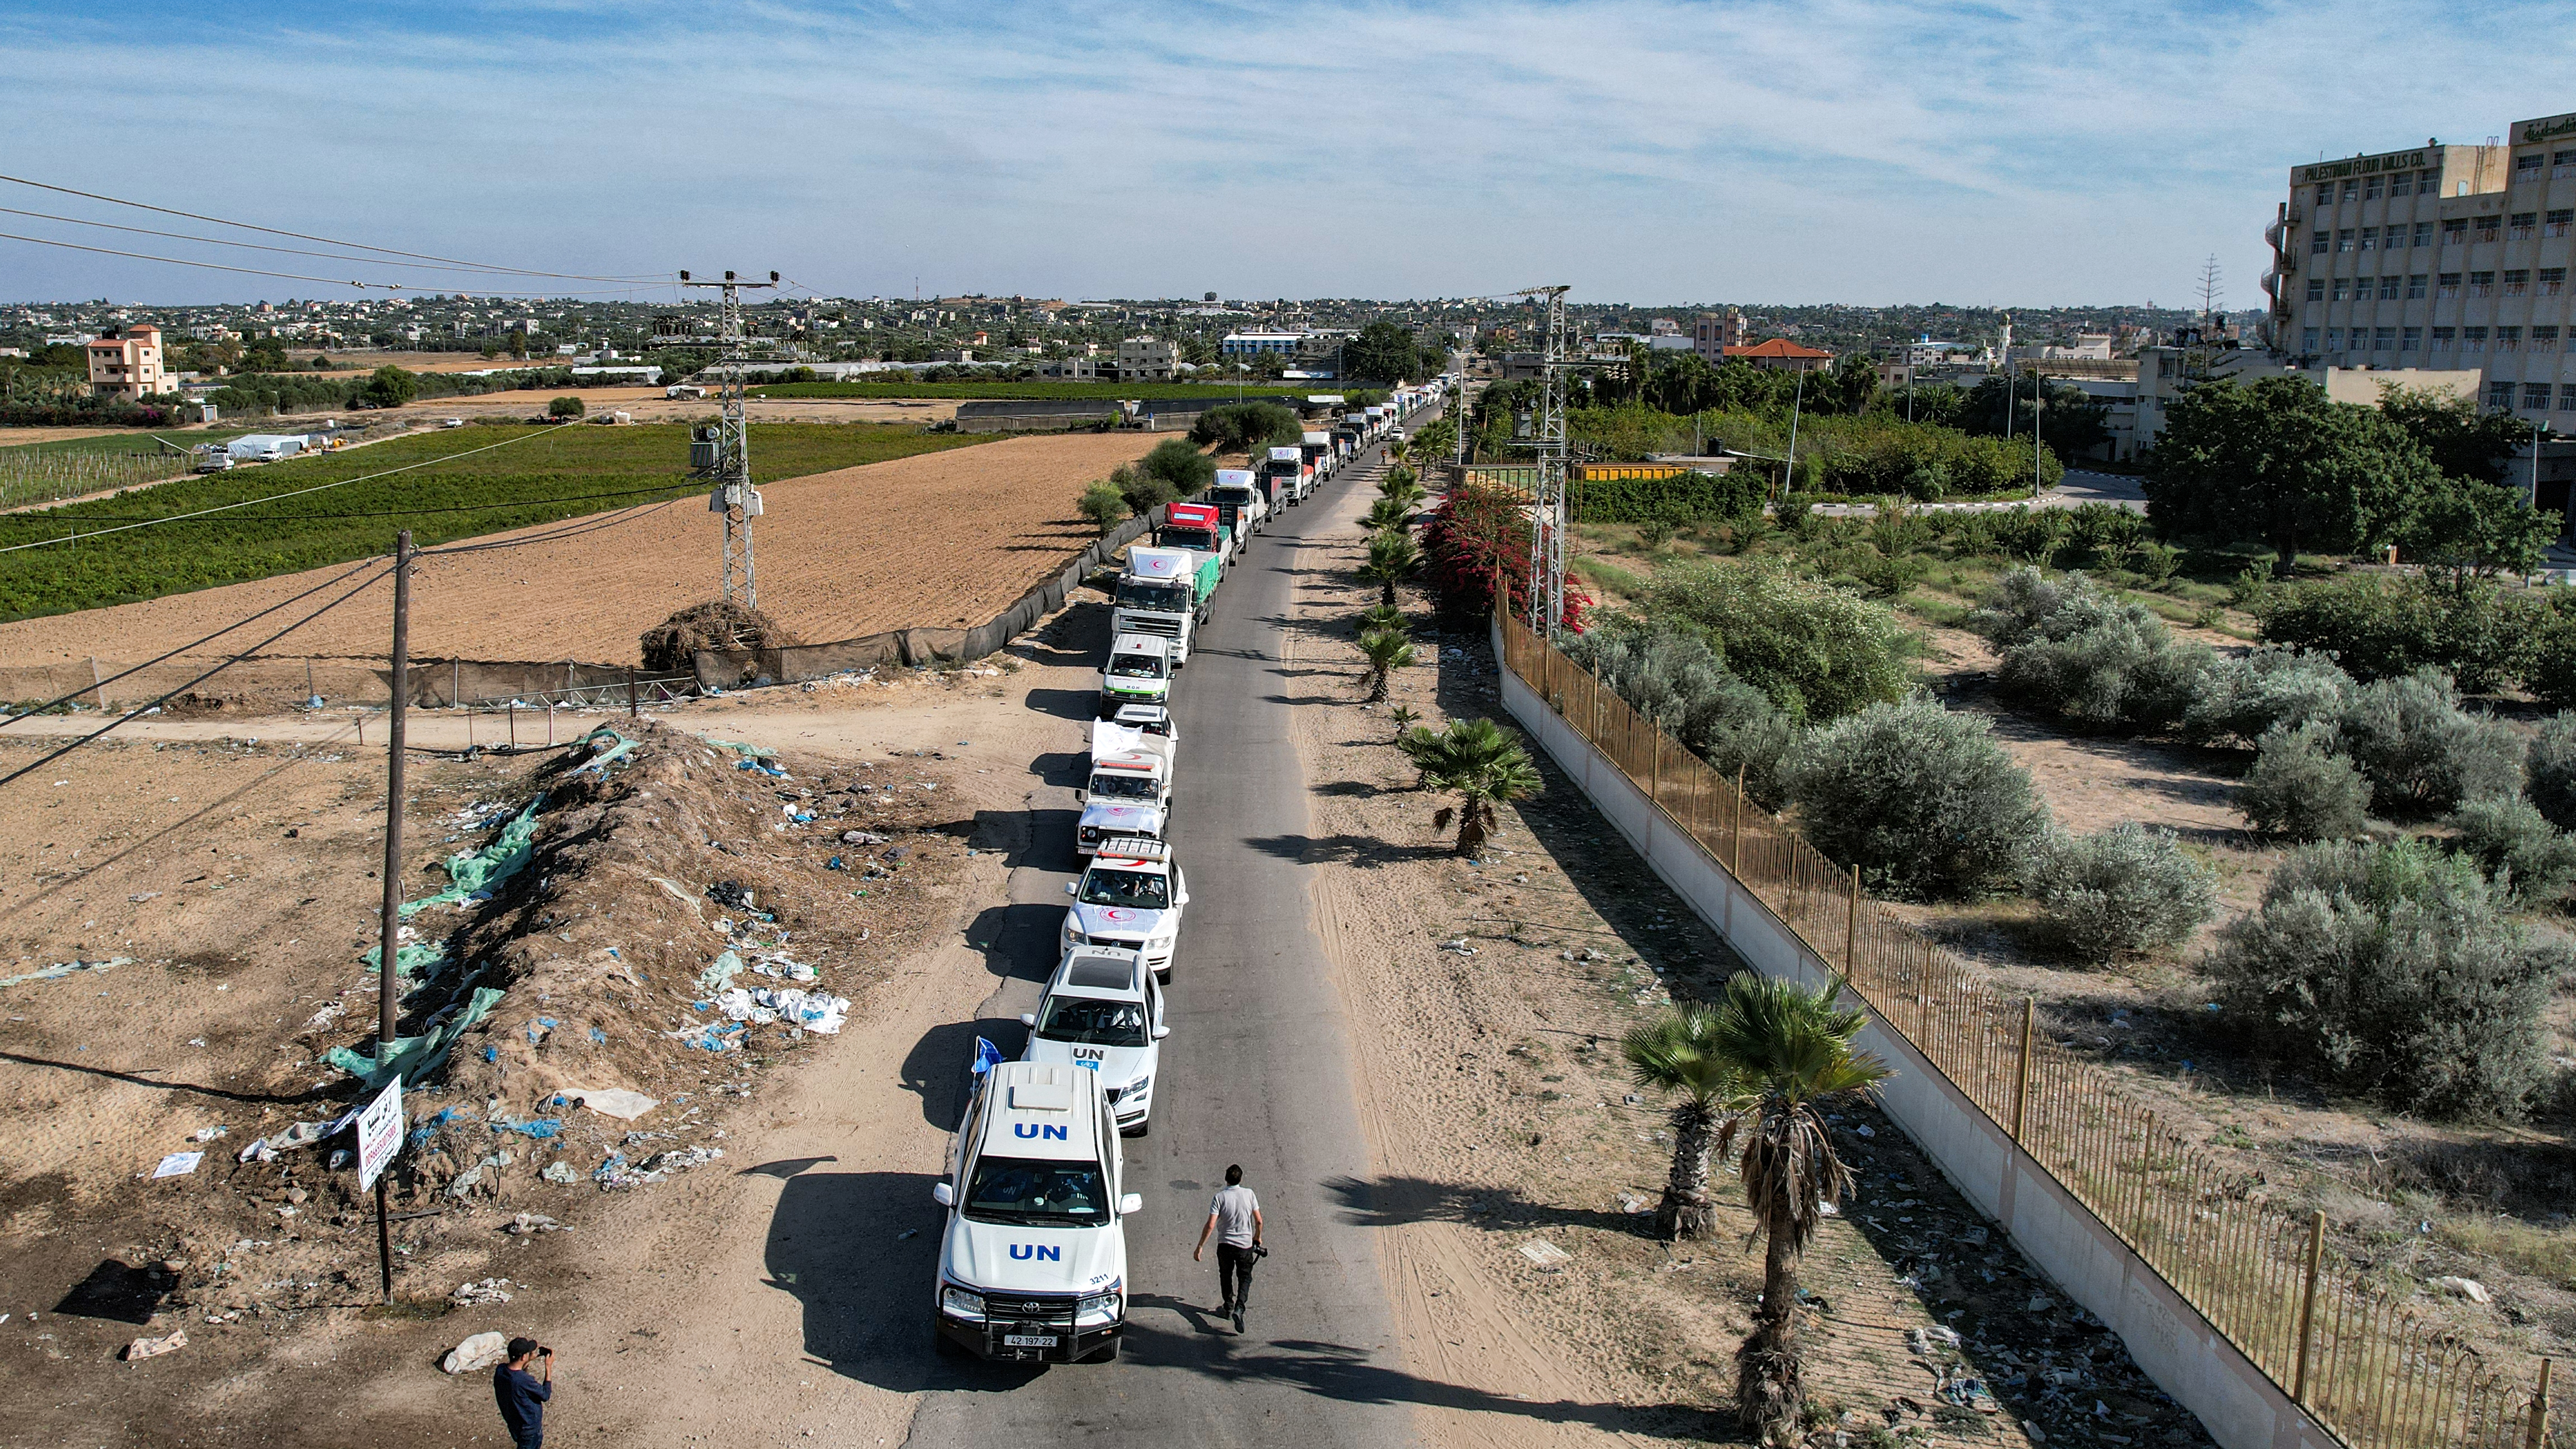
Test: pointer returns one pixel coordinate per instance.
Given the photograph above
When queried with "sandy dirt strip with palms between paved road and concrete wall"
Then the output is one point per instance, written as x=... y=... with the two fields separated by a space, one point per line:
x=1493 y=997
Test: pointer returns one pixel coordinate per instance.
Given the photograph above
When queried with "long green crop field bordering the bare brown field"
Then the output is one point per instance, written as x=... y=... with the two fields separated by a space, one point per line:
x=540 y=478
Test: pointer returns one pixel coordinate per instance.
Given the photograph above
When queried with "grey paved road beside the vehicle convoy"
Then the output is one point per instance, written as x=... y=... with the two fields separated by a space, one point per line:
x=1256 y=1074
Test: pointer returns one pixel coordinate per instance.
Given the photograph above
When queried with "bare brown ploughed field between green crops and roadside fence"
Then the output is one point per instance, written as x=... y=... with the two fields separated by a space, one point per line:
x=936 y=540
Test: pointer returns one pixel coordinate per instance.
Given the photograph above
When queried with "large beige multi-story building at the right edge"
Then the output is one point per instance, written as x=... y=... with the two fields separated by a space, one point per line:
x=2448 y=259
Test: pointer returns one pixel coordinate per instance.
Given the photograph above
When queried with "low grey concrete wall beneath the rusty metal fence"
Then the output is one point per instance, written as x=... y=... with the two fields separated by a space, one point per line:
x=2062 y=1239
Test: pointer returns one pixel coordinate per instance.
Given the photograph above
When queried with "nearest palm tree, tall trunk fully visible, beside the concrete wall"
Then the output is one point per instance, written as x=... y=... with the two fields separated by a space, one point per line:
x=1794 y=1053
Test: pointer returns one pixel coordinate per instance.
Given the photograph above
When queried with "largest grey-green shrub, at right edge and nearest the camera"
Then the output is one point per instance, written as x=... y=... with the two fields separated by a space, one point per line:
x=2392 y=971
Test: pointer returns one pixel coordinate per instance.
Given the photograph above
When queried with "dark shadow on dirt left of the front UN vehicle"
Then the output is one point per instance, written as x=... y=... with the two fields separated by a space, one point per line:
x=836 y=1241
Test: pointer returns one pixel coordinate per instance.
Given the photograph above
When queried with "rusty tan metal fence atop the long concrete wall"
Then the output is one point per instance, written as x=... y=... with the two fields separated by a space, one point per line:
x=2345 y=1350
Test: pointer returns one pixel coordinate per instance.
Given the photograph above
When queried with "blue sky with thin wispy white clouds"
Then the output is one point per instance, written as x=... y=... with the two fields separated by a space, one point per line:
x=1653 y=151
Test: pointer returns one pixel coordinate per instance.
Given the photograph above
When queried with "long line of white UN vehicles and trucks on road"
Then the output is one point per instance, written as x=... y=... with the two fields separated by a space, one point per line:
x=1034 y=1257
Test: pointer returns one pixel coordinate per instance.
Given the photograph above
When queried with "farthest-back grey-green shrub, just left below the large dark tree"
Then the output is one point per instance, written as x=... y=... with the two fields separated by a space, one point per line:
x=2088 y=656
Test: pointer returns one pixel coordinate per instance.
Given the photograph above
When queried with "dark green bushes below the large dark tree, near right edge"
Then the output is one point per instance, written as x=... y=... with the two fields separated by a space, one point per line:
x=2376 y=630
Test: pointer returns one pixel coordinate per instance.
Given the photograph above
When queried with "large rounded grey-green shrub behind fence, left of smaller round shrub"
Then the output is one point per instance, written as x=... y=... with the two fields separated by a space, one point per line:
x=1915 y=795
